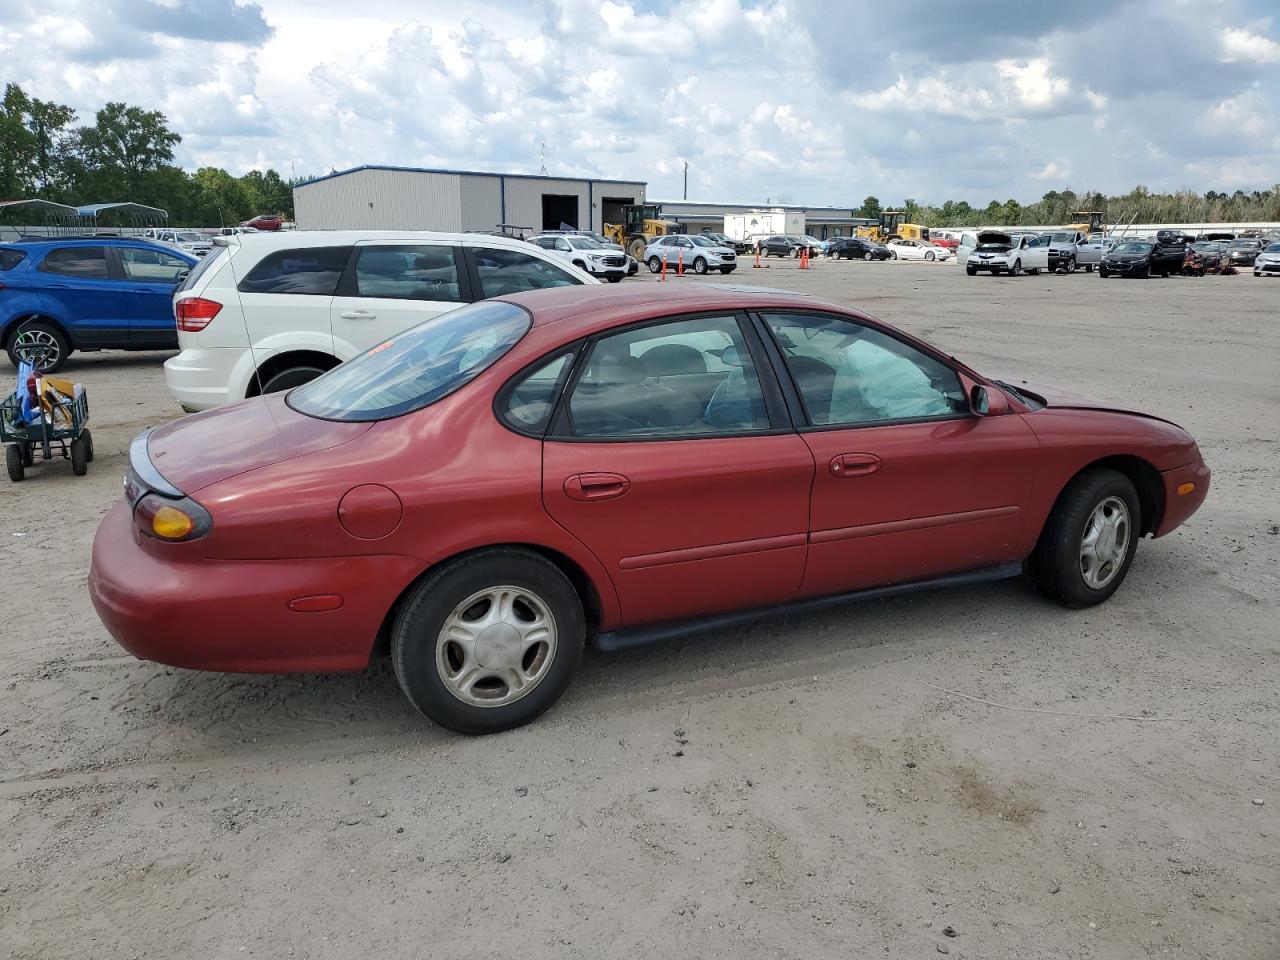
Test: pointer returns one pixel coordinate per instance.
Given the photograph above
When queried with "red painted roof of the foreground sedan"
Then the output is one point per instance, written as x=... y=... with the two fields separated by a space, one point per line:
x=587 y=310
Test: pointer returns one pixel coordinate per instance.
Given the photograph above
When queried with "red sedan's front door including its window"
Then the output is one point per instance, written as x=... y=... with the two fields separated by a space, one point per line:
x=909 y=484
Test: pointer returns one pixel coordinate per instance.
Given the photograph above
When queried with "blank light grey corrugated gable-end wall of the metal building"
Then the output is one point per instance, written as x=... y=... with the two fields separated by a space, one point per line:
x=381 y=200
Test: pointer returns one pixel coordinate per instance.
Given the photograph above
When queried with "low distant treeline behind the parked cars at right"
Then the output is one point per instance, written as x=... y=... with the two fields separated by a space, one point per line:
x=1060 y=208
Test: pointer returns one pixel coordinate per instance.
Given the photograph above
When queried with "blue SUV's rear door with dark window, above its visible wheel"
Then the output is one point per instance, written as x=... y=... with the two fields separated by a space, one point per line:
x=86 y=298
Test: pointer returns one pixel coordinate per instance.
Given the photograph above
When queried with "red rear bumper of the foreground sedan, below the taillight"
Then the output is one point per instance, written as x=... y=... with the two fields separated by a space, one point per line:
x=234 y=615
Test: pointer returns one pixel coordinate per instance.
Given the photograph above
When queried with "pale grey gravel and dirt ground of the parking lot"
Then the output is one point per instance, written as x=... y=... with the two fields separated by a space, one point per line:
x=815 y=787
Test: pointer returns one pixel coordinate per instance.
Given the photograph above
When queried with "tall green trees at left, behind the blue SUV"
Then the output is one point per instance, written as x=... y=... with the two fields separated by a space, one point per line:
x=125 y=156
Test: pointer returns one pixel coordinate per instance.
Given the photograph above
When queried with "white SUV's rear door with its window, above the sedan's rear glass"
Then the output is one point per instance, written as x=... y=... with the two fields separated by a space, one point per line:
x=390 y=287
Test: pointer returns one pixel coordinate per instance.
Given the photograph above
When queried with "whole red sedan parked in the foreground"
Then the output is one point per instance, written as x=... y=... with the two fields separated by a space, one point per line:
x=488 y=491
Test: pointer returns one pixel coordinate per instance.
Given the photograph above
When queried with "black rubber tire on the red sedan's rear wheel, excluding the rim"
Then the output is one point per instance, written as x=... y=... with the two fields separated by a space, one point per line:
x=422 y=619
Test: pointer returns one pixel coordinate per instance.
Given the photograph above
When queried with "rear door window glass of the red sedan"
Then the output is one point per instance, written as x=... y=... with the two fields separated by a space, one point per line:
x=687 y=378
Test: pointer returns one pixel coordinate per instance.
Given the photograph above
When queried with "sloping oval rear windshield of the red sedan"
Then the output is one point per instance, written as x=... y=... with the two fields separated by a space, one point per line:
x=417 y=368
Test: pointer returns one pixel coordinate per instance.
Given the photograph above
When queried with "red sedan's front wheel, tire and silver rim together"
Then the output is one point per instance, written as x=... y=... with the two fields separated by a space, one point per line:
x=1090 y=541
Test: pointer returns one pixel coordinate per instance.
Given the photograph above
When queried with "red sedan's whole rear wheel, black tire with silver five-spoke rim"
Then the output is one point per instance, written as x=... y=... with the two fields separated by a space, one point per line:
x=490 y=642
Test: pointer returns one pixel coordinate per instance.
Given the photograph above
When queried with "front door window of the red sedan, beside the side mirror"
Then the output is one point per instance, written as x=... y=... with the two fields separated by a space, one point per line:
x=849 y=374
